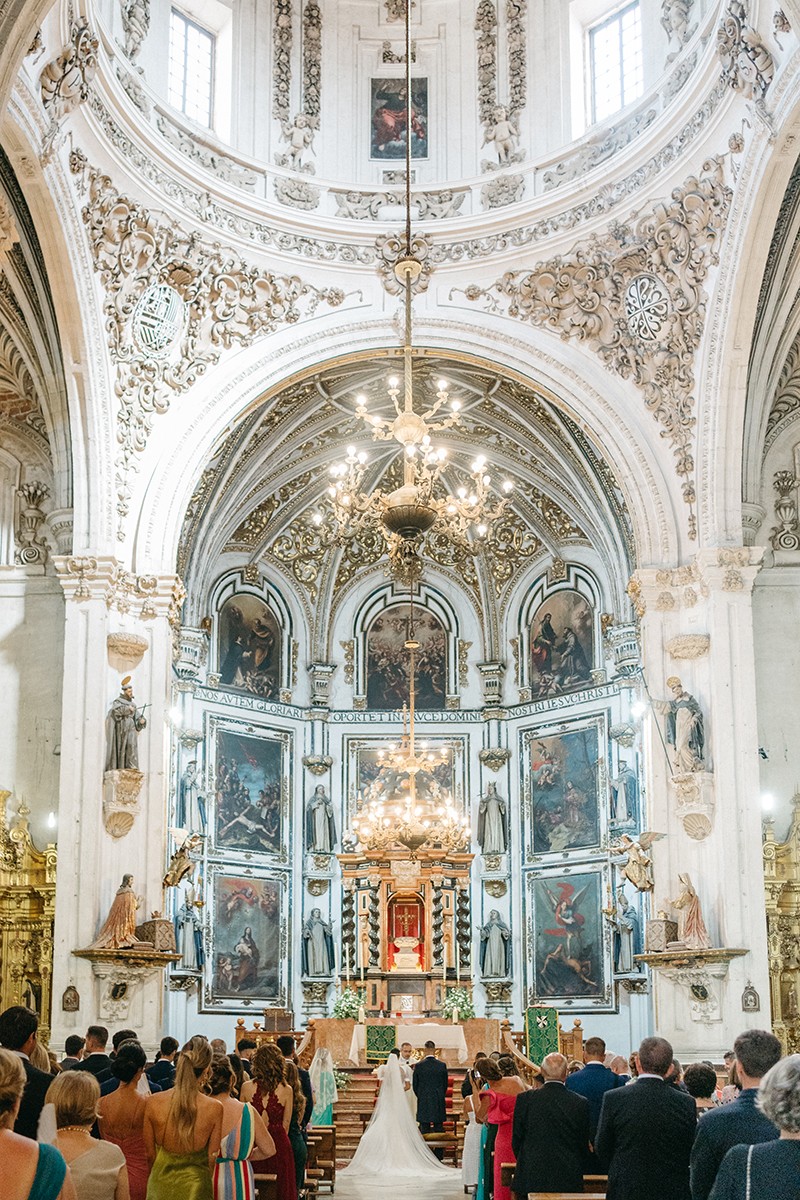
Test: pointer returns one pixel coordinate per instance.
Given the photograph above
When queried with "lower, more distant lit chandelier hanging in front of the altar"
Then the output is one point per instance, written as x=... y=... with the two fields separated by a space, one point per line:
x=407 y=815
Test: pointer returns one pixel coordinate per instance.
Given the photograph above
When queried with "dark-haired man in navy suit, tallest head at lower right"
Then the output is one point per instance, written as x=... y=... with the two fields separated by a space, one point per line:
x=739 y=1123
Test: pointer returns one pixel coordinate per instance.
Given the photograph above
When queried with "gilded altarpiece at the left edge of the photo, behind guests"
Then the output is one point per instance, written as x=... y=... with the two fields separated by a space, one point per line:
x=27 y=910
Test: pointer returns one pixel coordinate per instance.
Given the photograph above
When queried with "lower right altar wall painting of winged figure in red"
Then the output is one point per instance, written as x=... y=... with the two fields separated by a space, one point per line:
x=569 y=951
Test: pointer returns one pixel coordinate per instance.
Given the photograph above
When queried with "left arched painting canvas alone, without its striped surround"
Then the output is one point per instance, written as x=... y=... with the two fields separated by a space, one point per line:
x=250 y=647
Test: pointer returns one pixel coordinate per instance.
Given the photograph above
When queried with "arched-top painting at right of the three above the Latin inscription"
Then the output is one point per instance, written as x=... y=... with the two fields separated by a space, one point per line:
x=562 y=646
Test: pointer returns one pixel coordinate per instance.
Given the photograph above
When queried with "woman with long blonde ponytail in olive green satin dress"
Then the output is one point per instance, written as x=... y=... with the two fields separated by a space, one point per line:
x=183 y=1131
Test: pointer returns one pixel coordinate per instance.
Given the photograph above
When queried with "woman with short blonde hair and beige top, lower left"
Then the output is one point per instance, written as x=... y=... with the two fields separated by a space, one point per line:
x=98 y=1168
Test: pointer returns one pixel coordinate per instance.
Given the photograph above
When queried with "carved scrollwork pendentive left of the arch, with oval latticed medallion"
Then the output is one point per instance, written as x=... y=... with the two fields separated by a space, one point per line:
x=173 y=304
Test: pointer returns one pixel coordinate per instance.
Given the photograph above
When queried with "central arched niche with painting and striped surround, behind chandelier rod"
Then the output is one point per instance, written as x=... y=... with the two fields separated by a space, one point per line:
x=382 y=662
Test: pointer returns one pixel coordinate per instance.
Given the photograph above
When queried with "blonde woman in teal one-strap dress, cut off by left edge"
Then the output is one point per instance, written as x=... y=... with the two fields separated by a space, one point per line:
x=31 y=1172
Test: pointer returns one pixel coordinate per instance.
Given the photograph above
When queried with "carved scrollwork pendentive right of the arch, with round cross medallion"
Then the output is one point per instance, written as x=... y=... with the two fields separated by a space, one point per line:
x=598 y=296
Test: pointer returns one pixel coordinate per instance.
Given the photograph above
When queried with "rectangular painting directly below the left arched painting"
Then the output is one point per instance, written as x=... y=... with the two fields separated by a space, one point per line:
x=248 y=793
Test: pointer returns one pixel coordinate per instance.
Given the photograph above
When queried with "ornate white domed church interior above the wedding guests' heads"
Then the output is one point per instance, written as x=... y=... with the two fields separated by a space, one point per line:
x=400 y=548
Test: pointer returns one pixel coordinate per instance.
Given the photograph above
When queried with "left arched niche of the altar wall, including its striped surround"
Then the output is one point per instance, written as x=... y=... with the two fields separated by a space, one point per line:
x=252 y=638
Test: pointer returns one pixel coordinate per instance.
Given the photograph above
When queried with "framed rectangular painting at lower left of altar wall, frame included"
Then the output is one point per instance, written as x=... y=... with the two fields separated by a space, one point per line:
x=246 y=961
